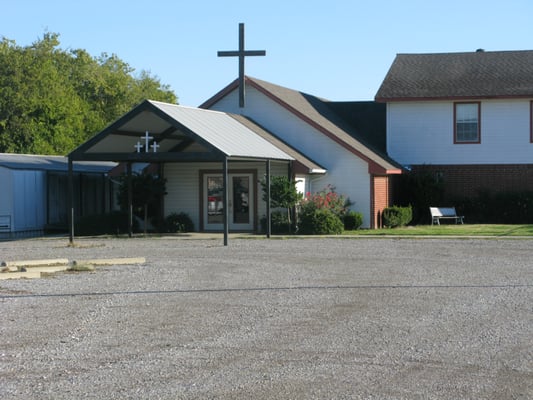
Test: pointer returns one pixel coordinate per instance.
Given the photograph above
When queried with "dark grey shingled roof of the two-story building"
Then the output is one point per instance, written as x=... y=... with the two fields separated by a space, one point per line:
x=473 y=75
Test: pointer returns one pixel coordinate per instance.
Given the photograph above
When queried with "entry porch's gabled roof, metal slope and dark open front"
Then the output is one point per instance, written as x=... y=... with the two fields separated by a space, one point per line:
x=181 y=133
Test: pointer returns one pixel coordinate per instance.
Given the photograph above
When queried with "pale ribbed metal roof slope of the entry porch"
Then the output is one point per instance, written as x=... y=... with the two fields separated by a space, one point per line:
x=223 y=132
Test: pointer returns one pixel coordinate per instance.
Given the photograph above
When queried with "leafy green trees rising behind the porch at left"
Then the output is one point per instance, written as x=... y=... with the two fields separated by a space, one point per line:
x=52 y=100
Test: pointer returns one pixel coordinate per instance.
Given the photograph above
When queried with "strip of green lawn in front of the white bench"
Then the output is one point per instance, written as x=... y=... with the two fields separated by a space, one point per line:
x=451 y=230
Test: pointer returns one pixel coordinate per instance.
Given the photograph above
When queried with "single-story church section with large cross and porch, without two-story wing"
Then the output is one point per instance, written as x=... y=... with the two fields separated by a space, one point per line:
x=218 y=153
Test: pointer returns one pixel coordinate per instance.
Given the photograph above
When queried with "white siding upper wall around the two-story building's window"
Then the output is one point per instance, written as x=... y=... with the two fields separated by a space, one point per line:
x=422 y=133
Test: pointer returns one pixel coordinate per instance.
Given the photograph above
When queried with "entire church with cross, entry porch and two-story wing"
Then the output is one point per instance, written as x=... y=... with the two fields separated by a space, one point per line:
x=465 y=117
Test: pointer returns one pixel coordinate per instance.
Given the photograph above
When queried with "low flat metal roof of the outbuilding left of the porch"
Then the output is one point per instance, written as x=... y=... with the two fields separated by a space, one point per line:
x=51 y=163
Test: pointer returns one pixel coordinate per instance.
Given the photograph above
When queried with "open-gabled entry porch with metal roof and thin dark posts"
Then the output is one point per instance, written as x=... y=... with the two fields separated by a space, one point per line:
x=220 y=147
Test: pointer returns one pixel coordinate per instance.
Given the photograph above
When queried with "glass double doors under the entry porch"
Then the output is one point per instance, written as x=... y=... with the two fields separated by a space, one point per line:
x=241 y=202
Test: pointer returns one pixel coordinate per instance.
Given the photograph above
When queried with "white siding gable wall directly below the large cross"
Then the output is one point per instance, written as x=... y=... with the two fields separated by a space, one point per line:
x=346 y=172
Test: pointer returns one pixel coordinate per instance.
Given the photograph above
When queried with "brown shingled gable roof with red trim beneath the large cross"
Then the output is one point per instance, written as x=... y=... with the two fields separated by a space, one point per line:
x=317 y=113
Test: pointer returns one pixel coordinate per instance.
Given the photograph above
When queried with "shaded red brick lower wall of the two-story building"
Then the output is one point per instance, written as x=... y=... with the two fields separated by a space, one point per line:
x=468 y=180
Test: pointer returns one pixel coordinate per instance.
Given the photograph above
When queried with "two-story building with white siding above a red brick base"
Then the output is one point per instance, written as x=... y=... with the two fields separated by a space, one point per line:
x=467 y=117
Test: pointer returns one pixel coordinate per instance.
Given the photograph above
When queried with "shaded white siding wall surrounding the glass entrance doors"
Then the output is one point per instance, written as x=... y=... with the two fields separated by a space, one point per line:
x=183 y=185
